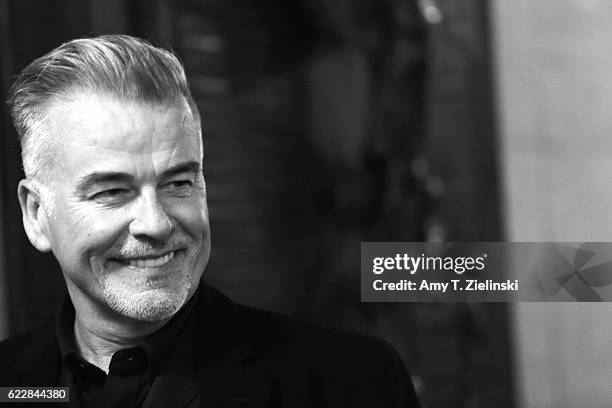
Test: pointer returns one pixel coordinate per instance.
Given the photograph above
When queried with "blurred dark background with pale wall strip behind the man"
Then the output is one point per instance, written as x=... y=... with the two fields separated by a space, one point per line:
x=332 y=122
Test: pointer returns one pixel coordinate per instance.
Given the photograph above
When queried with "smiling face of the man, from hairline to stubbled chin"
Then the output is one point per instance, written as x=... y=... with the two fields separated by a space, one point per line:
x=128 y=220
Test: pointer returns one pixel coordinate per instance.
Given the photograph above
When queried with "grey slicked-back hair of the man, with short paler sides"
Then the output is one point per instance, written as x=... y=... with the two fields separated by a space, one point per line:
x=120 y=66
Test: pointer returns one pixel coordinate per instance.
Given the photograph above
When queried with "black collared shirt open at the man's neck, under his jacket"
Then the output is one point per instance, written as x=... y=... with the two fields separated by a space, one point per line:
x=132 y=371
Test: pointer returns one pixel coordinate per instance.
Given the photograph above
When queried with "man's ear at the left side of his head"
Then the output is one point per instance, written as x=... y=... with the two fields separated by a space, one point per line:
x=35 y=221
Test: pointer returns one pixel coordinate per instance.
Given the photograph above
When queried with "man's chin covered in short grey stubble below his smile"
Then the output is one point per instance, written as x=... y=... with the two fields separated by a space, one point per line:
x=146 y=304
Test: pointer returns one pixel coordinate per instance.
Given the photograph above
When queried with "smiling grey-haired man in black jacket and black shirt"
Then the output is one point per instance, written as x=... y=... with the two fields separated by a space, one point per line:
x=112 y=153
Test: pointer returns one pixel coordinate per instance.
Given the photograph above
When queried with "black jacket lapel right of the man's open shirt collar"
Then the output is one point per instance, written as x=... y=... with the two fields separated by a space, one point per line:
x=227 y=373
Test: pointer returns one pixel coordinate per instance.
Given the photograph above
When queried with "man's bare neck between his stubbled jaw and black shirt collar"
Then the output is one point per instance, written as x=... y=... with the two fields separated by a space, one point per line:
x=98 y=335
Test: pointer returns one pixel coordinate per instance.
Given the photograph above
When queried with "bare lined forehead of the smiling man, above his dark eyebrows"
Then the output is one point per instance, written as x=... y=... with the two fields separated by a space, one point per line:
x=100 y=133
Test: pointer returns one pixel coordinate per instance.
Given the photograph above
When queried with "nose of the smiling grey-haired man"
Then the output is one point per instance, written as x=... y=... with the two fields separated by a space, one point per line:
x=150 y=218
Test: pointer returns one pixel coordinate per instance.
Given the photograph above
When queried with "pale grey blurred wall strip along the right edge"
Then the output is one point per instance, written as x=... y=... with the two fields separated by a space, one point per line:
x=554 y=69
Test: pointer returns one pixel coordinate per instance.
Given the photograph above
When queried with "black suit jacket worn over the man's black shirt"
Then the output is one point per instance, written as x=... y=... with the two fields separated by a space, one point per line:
x=245 y=358
